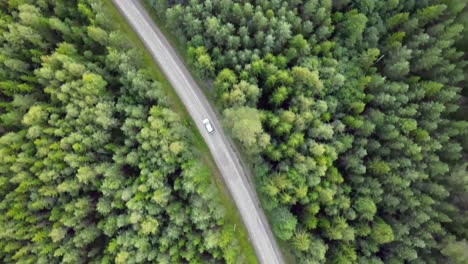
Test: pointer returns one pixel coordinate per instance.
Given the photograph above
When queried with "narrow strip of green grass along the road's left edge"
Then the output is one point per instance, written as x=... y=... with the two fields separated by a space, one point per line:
x=201 y=148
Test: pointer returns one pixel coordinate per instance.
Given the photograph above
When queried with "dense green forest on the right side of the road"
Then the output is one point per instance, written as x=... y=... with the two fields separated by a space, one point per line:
x=347 y=109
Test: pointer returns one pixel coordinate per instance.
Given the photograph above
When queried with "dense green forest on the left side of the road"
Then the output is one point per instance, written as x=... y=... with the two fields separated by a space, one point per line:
x=95 y=167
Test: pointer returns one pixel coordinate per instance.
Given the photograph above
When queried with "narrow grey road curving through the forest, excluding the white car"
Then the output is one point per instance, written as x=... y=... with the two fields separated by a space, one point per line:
x=234 y=175
